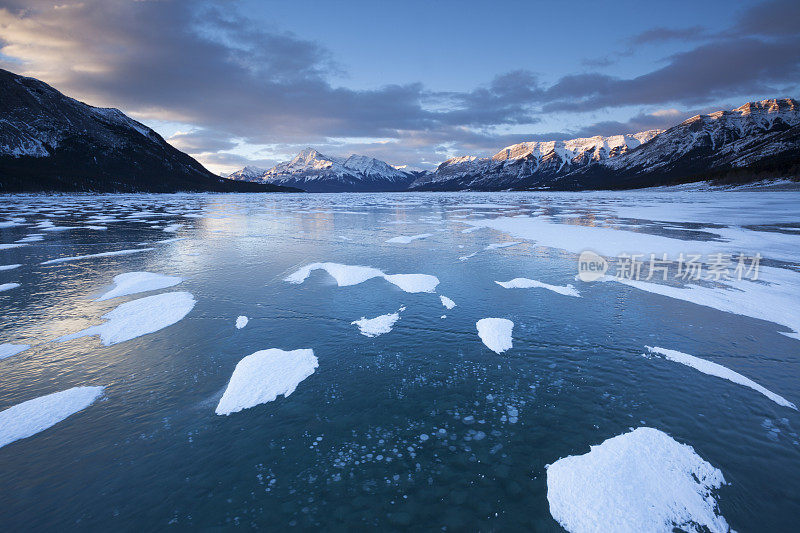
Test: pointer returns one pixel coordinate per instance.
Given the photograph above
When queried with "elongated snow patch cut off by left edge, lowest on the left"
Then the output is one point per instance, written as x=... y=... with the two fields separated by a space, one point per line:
x=29 y=418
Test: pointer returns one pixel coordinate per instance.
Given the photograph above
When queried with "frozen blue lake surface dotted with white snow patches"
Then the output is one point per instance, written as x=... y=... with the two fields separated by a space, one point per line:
x=404 y=360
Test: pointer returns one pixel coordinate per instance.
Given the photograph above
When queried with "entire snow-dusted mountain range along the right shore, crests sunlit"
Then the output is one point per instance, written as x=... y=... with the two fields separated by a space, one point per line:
x=754 y=141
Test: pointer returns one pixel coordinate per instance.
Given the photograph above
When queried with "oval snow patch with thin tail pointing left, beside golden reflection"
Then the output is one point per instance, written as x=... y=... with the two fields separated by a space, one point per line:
x=139 y=317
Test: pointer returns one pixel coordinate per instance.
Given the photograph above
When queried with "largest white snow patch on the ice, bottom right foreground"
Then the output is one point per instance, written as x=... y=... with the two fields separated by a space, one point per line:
x=638 y=481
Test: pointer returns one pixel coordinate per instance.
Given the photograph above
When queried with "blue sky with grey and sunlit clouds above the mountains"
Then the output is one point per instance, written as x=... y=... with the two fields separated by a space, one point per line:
x=253 y=82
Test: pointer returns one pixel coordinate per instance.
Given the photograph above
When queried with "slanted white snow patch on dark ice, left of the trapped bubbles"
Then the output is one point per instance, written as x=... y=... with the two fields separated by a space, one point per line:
x=261 y=377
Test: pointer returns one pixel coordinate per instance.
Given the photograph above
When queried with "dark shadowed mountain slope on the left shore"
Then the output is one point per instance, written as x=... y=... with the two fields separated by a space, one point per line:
x=50 y=142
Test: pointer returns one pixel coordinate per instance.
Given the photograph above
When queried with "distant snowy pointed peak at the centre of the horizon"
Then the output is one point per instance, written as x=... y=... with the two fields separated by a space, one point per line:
x=314 y=172
